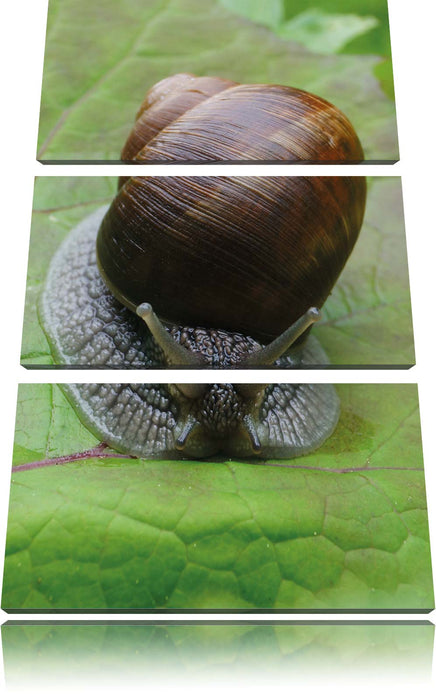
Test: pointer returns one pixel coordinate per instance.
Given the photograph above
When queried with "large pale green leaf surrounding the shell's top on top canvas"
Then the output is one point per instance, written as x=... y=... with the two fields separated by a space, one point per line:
x=101 y=58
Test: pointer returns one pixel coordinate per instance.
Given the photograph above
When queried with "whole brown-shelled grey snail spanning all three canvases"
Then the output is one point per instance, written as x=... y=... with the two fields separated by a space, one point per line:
x=235 y=269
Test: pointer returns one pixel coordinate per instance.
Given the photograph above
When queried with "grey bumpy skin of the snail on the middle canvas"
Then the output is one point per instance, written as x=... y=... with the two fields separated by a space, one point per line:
x=87 y=327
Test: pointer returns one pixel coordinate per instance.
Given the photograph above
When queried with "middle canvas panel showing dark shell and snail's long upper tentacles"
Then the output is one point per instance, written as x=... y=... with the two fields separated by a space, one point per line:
x=245 y=272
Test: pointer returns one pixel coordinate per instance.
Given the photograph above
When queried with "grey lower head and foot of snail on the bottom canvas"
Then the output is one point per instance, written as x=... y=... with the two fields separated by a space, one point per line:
x=200 y=420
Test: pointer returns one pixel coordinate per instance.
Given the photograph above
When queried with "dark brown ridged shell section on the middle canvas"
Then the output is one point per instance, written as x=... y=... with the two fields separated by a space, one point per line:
x=244 y=254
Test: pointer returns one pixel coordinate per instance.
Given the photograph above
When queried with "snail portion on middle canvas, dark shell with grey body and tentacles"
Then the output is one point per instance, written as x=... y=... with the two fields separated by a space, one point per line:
x=202 y=272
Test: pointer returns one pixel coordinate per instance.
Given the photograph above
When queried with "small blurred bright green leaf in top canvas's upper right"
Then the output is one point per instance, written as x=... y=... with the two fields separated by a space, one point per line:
x=325 y=33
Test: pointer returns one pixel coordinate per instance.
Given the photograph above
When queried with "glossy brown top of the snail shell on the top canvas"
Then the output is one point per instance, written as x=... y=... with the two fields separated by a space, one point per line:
x=185 y=118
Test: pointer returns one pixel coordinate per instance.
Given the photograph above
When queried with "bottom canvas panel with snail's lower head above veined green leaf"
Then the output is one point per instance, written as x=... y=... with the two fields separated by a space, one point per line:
x=278 y=498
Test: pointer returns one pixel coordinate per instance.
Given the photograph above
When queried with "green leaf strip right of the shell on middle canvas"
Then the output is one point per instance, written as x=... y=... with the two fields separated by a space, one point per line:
x=368 y=318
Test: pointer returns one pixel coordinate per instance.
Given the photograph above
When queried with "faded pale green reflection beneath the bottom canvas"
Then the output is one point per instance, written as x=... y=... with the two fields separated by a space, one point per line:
x=40 y=654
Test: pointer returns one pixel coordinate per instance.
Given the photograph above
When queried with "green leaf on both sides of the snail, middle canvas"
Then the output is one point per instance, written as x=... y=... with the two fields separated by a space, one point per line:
x=366 y=321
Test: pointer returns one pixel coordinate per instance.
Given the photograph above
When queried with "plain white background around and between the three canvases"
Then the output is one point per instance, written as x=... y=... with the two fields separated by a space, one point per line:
x=413 y=46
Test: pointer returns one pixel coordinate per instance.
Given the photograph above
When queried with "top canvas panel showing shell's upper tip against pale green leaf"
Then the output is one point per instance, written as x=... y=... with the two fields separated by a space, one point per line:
x=255 y=62
